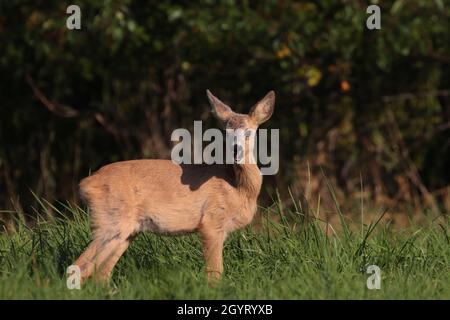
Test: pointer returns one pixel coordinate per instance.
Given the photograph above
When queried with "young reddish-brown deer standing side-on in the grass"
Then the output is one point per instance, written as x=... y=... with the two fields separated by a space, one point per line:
x=129 y=197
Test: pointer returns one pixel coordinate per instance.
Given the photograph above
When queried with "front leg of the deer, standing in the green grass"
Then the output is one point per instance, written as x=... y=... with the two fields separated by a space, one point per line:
x=213 y=250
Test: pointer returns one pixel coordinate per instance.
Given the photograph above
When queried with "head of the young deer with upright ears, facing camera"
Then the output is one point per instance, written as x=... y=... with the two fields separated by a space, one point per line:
x=241 y=128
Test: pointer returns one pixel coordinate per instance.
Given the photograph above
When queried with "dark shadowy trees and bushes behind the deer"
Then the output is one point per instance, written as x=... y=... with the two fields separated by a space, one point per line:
x=368 y=109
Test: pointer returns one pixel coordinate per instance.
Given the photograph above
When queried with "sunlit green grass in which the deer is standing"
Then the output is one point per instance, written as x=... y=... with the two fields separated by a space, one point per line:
x=288 y=259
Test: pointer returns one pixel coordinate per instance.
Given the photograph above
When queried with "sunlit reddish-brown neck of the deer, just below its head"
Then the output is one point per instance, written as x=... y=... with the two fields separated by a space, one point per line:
x=248 y=180
